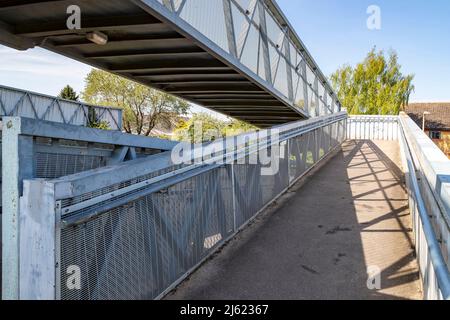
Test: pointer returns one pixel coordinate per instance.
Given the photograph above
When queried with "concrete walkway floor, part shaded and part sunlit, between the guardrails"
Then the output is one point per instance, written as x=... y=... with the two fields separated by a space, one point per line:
x=320 y=240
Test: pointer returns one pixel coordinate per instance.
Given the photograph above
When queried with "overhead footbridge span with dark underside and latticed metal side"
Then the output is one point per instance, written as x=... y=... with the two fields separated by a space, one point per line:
x=241 y=58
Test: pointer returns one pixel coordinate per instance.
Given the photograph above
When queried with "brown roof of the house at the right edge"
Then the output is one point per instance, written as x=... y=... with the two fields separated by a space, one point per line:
x=438 y=119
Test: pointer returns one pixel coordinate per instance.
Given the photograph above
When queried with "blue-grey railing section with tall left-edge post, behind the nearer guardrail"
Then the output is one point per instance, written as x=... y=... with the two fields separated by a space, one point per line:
x=47 y=150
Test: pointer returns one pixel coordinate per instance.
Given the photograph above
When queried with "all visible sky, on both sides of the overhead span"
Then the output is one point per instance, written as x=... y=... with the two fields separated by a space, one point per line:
x=334 y=31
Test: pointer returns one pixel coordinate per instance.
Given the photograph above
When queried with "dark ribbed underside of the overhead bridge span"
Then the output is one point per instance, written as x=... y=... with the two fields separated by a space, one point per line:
x=144 y=48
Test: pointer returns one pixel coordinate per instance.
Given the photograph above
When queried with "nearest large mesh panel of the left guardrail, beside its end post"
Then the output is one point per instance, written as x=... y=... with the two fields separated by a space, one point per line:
x=138 y=250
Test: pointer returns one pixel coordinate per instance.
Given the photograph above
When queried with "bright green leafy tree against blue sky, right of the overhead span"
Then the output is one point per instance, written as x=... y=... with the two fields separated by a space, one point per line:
x=375 y=86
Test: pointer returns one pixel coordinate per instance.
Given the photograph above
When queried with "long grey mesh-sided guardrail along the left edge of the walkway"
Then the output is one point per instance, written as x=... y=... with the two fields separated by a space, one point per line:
x=136 y=233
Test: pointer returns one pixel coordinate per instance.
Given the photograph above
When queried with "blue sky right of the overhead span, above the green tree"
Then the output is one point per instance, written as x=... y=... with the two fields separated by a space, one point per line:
x=335 y=32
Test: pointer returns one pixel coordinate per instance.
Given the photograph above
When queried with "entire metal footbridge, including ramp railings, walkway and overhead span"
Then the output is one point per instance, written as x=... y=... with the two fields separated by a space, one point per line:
x=91 y=214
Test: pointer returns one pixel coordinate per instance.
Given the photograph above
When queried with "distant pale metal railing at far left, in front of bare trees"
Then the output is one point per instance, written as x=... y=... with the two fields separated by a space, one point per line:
x=20 y=103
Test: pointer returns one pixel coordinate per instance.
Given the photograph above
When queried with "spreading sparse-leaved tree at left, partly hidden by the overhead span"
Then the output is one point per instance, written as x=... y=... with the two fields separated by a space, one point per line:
x=143 y=107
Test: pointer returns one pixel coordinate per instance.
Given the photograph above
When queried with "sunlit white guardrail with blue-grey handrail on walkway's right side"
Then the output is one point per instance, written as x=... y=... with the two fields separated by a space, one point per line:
x=427 y=172
